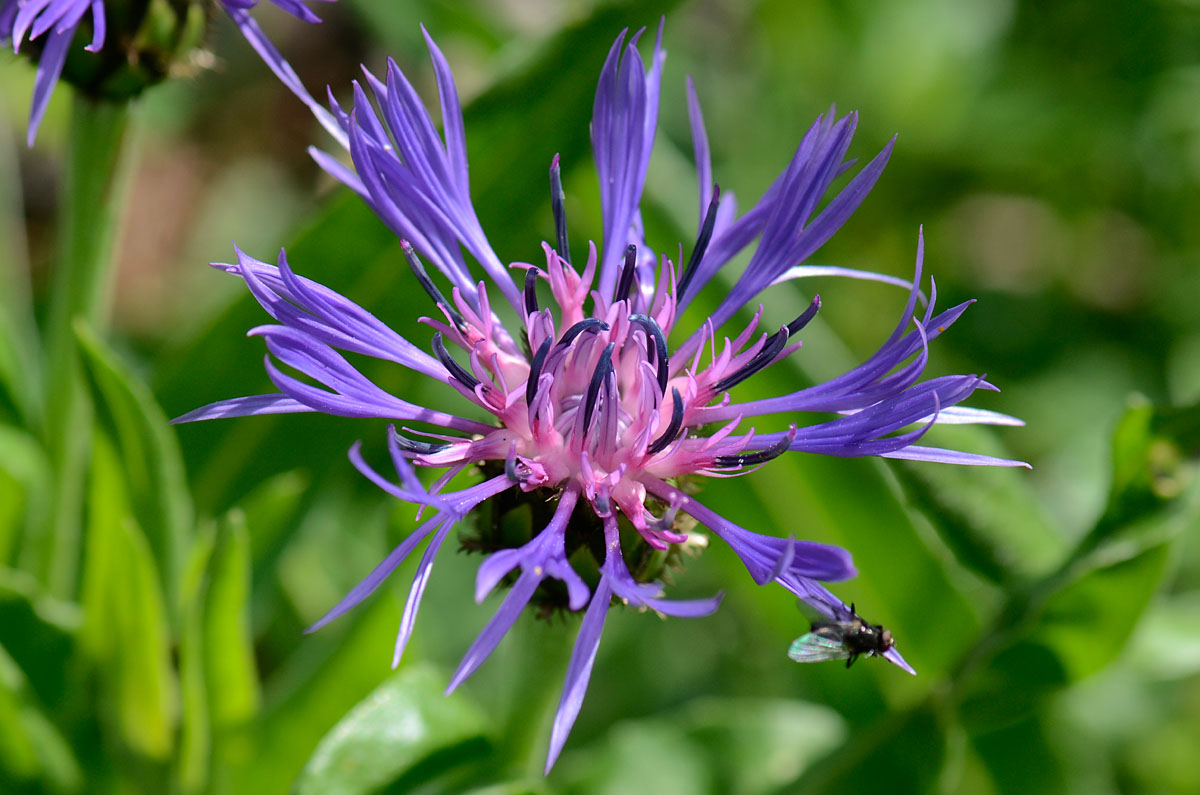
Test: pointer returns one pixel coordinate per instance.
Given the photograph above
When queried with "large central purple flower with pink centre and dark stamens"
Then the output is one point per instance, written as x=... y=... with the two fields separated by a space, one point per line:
x=596 y=420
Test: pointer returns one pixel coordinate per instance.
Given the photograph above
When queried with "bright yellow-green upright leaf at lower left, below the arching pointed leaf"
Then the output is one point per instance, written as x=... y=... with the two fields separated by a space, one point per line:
x=125 y=615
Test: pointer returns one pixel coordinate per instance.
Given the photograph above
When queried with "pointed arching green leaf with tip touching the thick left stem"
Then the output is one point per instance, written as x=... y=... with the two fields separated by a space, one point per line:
x=149 y=453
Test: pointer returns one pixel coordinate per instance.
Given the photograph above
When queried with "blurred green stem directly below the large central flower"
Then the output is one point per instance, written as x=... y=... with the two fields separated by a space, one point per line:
x=545 y=647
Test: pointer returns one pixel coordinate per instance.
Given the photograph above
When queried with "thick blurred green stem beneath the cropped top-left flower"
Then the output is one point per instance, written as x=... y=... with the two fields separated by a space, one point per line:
x=89 y=217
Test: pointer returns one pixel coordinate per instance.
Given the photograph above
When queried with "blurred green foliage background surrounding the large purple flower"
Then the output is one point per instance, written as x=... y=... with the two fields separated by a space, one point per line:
x=1052 y=153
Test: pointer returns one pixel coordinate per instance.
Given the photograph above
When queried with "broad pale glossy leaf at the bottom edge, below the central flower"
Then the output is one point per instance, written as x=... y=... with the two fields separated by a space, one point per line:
x=404 y=734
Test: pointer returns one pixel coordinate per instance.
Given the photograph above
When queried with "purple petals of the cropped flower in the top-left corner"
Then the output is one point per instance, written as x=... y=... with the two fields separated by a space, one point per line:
x=58 y=21
